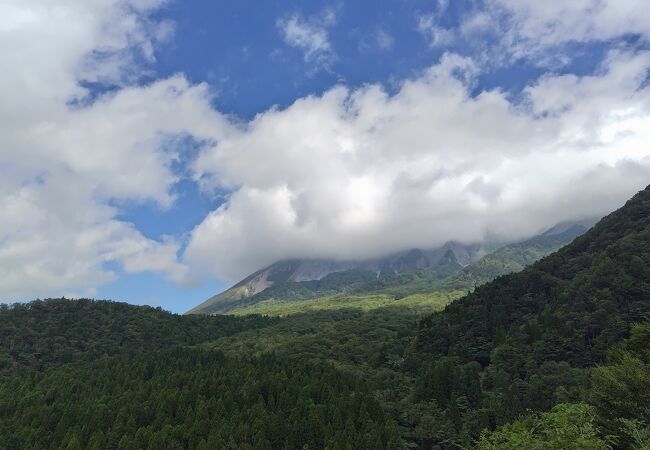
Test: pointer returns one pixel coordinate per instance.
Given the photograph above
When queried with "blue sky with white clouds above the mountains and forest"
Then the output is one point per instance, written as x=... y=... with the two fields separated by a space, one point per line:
x=156 y=151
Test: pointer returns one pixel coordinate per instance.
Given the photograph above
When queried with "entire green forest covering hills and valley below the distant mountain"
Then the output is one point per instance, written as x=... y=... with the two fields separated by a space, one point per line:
x=555 y=356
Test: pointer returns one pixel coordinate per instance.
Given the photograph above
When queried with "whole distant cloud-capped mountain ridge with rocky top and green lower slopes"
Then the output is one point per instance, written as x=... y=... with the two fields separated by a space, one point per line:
x=453 y=266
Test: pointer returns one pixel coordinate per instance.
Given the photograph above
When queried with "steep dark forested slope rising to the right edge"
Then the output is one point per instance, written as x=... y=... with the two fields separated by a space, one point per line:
x=530 y=339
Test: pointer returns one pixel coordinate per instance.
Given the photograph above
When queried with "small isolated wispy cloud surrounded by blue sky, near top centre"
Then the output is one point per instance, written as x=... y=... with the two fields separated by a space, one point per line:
x=310 y=36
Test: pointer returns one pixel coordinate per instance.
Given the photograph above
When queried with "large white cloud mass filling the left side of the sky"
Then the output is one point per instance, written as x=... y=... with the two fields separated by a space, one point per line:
x=66 y=156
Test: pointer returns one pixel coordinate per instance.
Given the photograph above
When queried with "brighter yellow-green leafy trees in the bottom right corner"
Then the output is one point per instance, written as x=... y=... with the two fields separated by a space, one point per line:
x=618 y=414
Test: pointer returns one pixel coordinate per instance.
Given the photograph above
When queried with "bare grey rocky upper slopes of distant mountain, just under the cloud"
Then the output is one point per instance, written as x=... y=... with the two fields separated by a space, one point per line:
x=438 y=263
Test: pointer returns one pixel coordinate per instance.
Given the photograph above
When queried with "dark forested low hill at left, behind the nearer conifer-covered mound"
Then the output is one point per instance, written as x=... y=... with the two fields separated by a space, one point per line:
x=56 y=331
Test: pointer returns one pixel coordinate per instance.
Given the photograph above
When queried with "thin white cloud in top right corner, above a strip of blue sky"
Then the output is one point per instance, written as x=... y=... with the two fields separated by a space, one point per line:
x=541 y=31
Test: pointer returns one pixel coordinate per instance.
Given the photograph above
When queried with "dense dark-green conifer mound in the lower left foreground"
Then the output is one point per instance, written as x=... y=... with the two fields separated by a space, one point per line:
x=183 y=398
